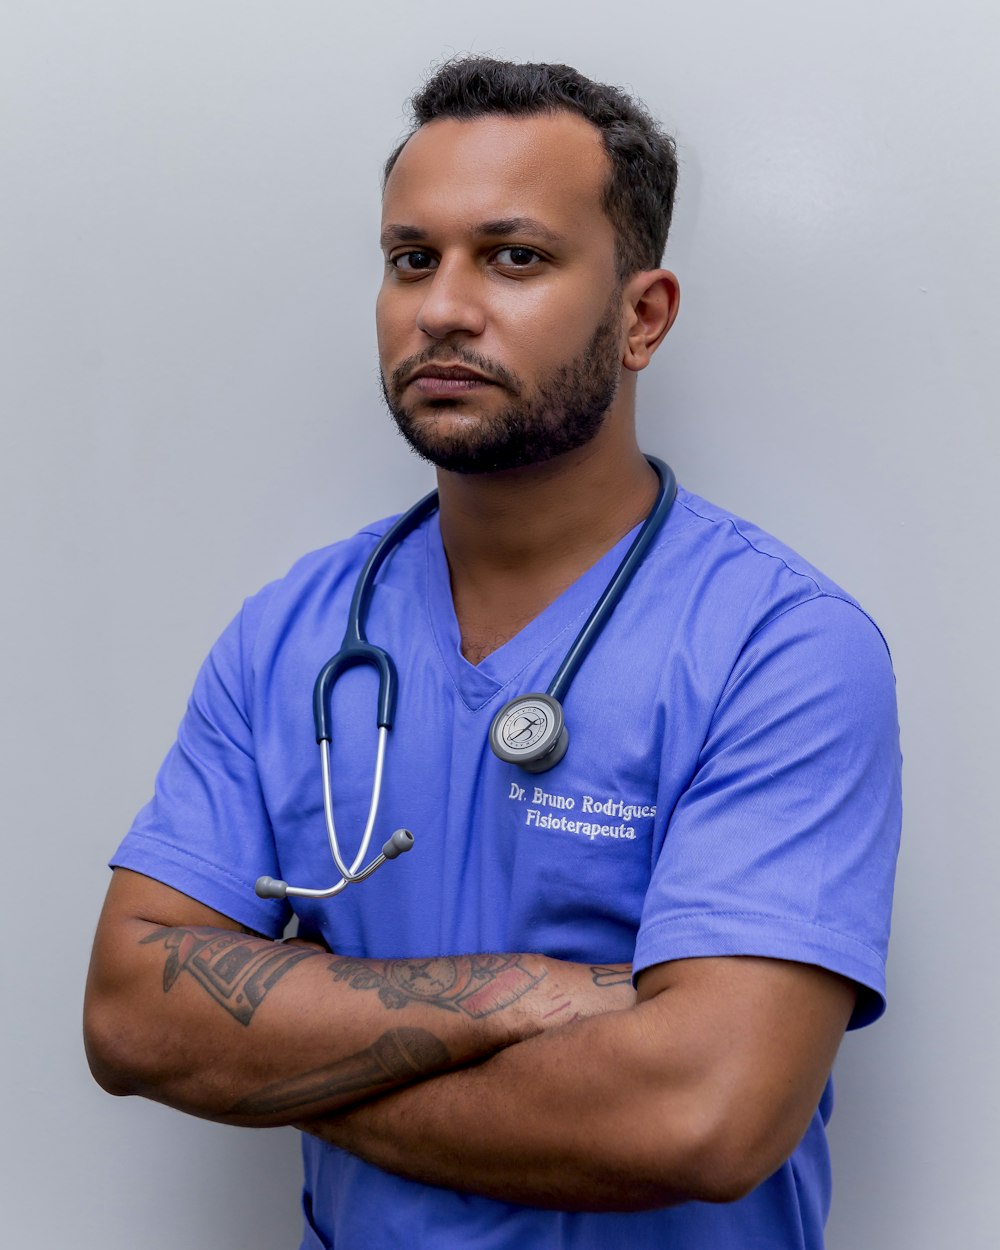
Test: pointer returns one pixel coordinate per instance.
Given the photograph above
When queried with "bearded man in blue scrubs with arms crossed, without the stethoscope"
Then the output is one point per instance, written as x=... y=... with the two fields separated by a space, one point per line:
x=472 y=1064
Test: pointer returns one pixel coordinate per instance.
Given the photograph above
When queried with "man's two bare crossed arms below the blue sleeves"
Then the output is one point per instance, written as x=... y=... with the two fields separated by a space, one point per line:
x=518 y=1077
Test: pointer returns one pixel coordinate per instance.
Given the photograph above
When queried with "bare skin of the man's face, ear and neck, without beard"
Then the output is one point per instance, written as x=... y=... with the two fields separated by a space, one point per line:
x=452 y=182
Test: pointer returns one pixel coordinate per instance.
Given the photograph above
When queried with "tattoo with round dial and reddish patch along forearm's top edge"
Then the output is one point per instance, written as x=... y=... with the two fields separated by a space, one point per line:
x=474 y=984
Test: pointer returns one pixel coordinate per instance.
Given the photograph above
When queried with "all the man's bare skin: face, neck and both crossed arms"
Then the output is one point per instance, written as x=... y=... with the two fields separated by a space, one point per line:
x=559 y=1086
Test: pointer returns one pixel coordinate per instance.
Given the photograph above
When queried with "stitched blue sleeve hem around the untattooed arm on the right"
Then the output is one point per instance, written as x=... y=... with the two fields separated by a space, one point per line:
x=721 y=934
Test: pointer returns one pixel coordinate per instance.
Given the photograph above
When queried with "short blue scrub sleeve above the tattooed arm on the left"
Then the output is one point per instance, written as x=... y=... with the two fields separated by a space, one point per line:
x=207 y=832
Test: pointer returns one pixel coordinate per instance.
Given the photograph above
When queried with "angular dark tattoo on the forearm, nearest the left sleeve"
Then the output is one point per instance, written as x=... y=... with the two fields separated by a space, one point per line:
x=232 y=968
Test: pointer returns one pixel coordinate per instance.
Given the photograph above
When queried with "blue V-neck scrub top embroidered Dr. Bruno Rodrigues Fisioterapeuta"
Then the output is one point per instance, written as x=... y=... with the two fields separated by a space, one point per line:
x=732 y=788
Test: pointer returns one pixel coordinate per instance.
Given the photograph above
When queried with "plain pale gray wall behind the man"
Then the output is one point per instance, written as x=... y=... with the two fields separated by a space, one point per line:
x=188 y=264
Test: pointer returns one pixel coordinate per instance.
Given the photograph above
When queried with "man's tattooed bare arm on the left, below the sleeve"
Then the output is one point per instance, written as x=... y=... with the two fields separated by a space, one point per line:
x=241 y=1029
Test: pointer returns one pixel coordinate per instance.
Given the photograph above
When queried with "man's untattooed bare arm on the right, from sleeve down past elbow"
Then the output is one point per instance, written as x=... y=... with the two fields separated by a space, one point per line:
x=691 y=1094
